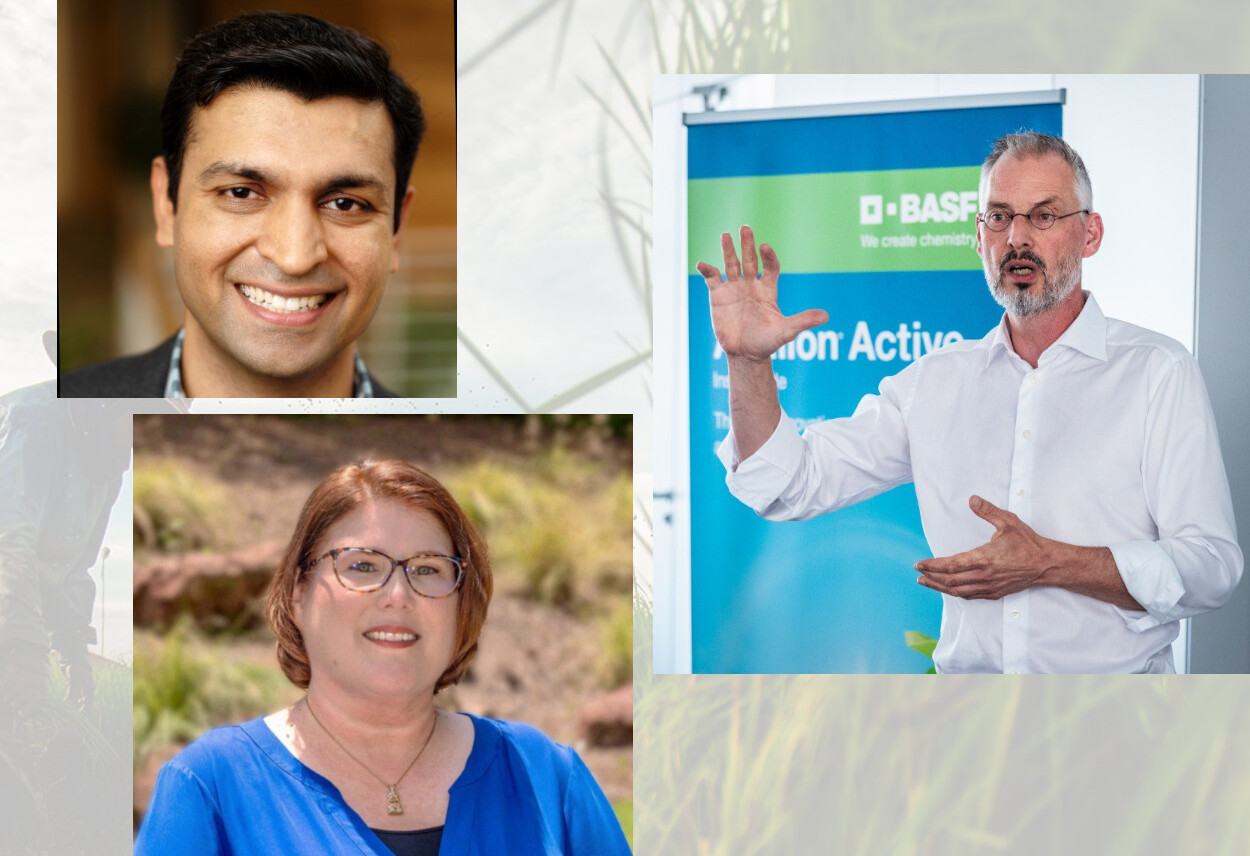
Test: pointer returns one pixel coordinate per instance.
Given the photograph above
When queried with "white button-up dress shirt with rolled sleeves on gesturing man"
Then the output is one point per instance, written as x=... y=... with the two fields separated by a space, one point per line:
x=1109 y=442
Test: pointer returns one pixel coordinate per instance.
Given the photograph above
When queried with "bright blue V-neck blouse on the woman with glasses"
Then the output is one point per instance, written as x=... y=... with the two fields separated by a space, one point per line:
x=238 y=790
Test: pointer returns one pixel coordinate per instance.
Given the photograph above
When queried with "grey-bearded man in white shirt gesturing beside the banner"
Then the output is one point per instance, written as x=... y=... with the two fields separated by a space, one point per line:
x=1067 y=467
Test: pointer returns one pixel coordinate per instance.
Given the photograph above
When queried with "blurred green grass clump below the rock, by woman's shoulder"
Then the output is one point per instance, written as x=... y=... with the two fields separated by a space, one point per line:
x=184 y=687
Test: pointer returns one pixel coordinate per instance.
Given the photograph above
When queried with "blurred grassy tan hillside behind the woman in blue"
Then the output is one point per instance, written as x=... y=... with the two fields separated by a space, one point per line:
x=553 y=497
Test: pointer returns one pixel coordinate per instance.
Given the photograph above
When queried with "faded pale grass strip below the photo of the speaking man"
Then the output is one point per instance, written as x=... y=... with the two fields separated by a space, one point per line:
x=1096 y=764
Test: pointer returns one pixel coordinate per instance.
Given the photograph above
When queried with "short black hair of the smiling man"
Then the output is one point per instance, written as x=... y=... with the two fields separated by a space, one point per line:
x=298 y=54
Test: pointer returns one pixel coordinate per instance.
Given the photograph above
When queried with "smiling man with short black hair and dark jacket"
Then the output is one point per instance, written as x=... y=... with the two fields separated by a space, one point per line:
x=287 y=147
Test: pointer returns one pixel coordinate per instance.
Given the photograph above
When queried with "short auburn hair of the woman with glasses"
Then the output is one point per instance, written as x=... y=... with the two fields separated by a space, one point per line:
x=346 y=490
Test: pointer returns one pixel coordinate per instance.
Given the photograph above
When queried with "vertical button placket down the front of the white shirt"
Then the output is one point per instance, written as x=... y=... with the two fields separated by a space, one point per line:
x=1016 y=608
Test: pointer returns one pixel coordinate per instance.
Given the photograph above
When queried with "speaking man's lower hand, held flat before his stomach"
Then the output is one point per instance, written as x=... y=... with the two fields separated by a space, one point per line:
x=1014 y=559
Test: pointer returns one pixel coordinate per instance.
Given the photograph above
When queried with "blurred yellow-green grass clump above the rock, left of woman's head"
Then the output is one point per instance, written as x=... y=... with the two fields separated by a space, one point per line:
x=177 y=510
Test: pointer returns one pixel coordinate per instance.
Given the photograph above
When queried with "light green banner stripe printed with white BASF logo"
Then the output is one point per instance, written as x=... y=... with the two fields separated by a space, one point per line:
x=888 y=221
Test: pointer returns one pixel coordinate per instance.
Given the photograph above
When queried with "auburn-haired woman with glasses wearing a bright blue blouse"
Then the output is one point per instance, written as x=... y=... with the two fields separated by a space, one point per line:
x=377 y=607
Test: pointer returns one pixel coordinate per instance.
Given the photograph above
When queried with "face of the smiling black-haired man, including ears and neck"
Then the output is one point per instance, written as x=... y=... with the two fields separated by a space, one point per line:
x=283 y=241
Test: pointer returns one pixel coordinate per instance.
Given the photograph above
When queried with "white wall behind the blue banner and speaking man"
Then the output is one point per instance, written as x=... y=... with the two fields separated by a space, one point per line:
x=1138 y=136
